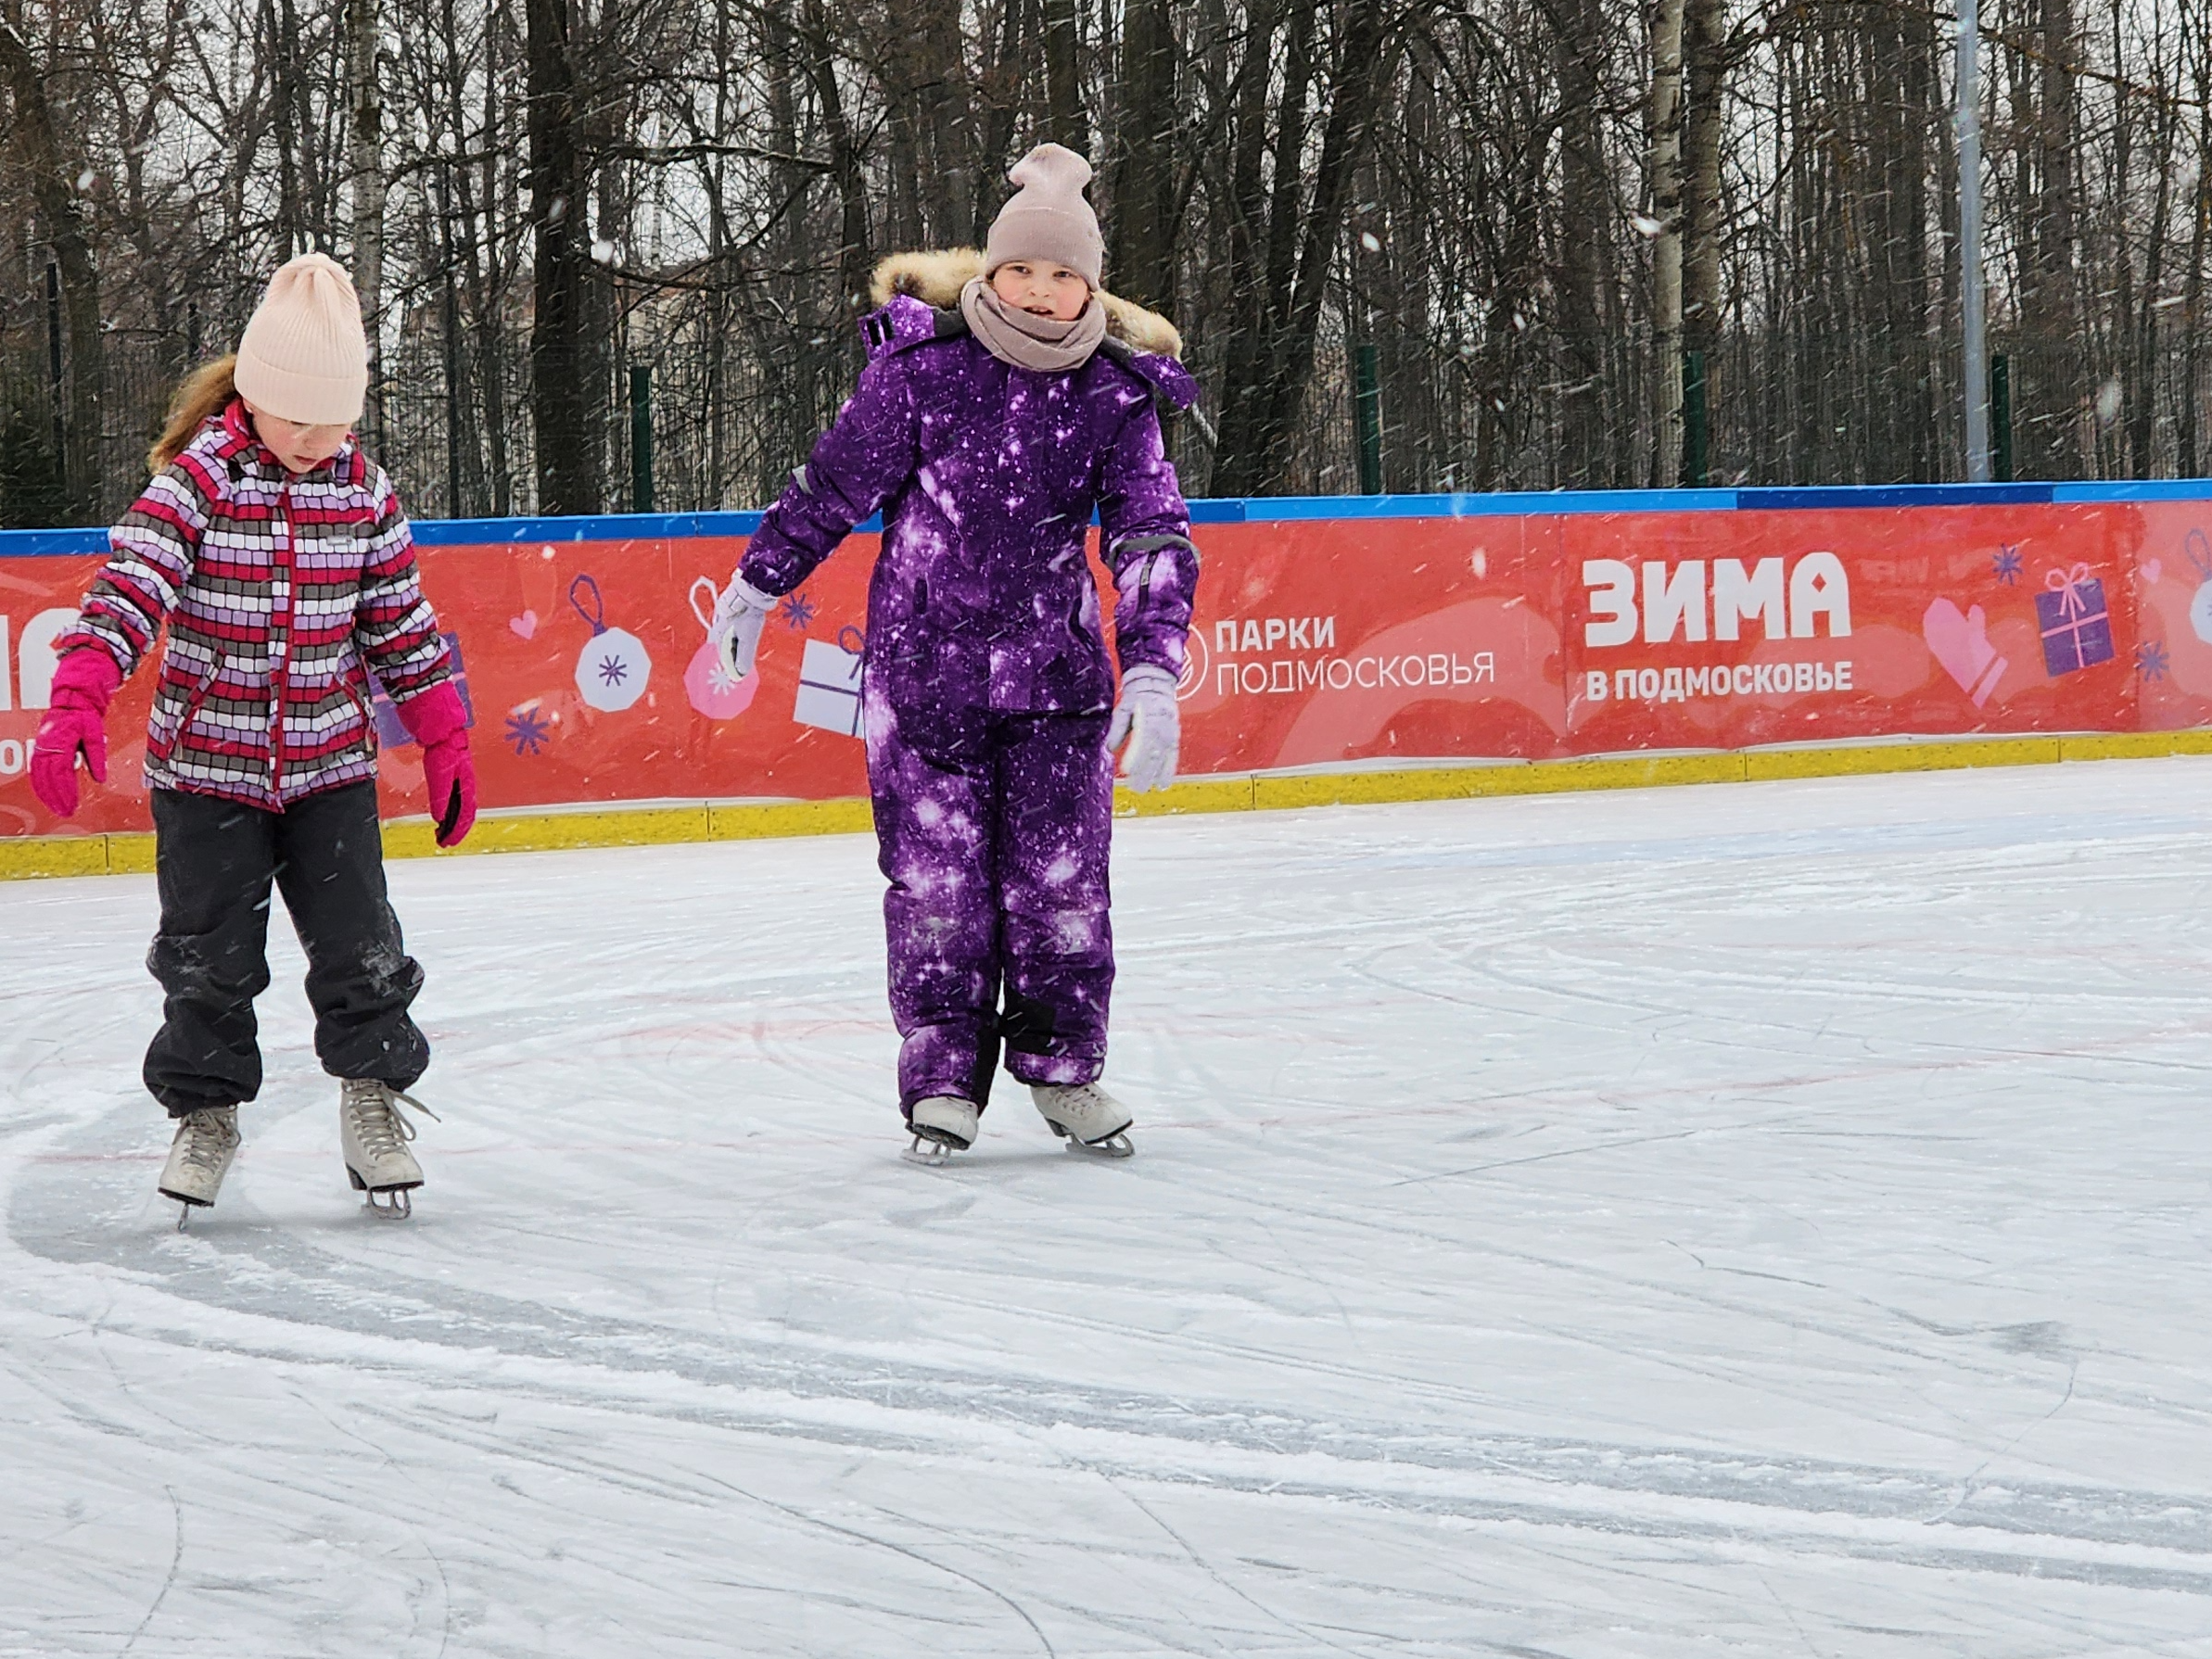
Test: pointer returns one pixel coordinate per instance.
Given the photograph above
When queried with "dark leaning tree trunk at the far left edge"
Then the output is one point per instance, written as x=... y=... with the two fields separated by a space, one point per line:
x=52 y=176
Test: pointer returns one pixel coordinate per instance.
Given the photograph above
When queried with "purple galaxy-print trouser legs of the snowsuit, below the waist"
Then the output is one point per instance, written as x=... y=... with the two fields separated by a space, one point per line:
x=994 y=833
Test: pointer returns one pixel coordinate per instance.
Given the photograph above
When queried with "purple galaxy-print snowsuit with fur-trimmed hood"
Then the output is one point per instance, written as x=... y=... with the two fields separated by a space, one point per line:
x=985 y=678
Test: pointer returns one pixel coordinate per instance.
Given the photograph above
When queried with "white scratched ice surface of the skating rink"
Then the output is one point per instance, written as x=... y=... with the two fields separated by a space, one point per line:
x=1764 y=1220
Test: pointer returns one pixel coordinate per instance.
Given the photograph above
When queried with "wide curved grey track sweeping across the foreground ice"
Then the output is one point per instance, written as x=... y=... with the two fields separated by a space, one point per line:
x=280 y=1275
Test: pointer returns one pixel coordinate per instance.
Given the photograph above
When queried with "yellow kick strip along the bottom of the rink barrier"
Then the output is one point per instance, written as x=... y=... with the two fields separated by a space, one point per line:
x=118 y=855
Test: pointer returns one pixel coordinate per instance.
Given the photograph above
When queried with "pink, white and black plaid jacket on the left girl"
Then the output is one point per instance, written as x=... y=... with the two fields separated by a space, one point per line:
x=282 y=594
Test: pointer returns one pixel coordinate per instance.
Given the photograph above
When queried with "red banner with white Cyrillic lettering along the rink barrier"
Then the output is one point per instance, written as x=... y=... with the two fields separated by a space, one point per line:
x=1319 y=643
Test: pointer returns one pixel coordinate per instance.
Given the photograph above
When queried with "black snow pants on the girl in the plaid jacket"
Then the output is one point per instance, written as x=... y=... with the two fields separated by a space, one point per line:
x=213 y=866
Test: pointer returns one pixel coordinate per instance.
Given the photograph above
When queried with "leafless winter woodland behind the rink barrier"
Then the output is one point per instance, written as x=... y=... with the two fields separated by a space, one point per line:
x=1496 y=227
